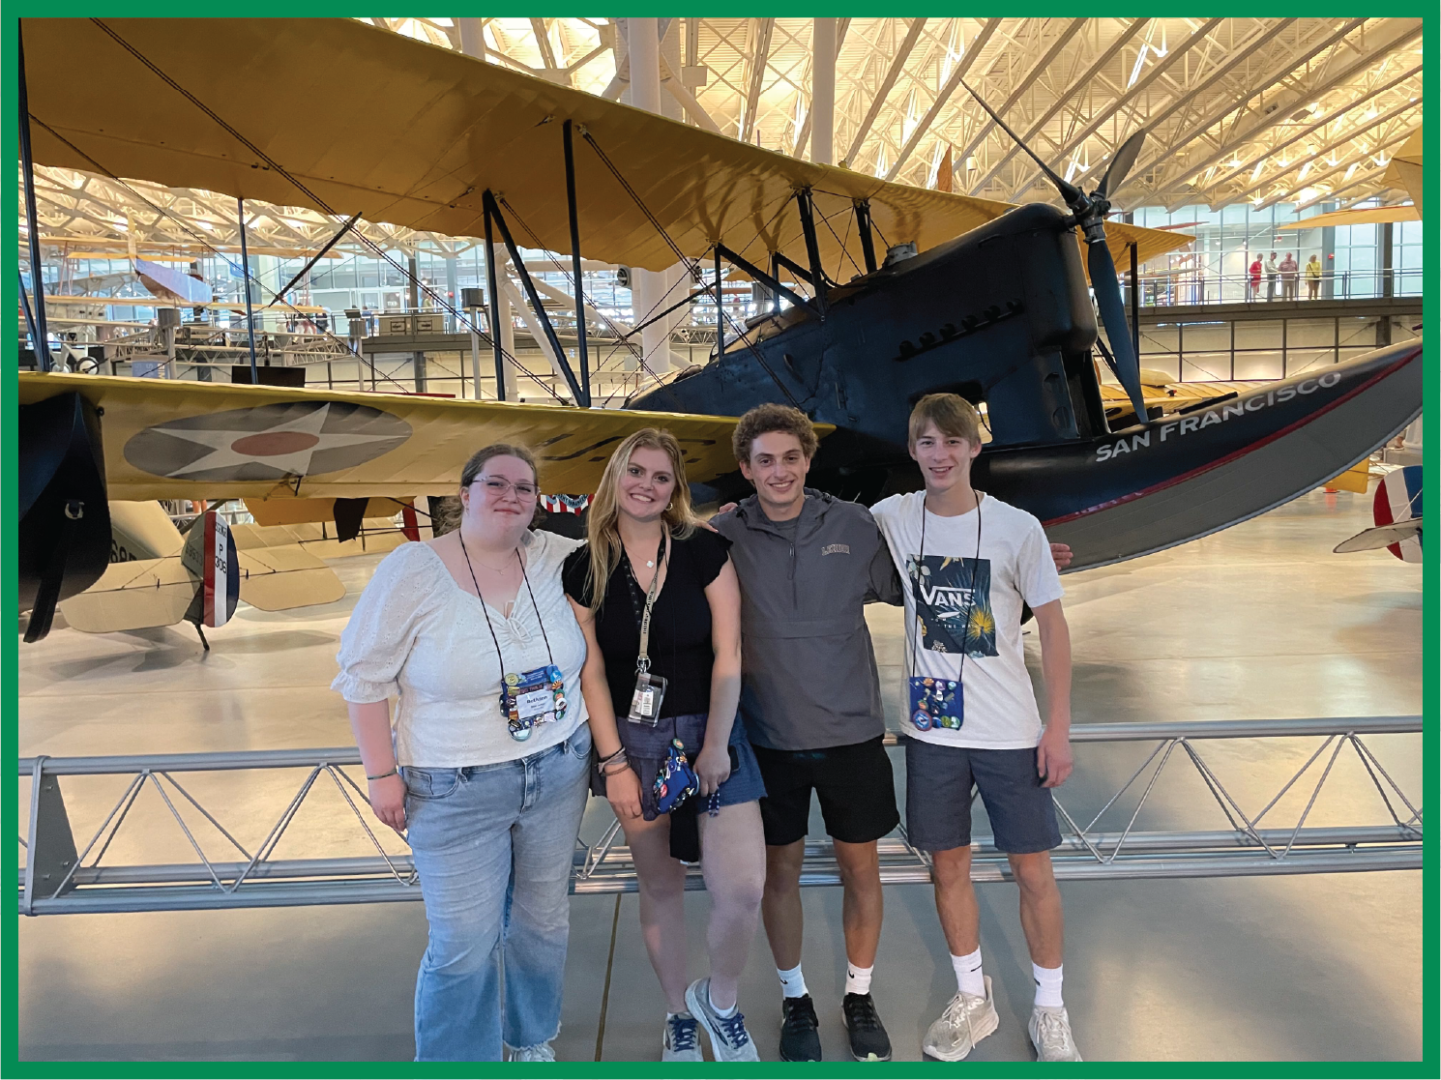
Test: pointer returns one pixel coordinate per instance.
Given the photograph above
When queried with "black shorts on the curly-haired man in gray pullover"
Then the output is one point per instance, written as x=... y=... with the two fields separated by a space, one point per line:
x=855 y=787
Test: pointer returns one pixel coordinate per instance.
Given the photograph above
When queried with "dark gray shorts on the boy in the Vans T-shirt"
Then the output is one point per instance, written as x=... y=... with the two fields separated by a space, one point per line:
x=939 y=789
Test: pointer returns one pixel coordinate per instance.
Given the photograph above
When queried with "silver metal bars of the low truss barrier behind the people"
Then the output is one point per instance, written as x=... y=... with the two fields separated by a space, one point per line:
x=60 y=879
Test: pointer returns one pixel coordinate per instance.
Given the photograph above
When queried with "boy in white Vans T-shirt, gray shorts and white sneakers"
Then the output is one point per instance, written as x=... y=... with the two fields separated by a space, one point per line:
x=969 y=565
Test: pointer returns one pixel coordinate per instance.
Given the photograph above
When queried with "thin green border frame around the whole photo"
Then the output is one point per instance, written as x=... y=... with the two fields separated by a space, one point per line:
x=11 y=1066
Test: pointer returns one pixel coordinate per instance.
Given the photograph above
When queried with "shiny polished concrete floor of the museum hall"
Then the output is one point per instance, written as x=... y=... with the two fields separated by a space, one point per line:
x=1253 y=624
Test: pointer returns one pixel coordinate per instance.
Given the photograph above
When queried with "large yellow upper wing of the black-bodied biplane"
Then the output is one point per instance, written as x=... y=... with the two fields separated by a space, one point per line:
x=407 y=133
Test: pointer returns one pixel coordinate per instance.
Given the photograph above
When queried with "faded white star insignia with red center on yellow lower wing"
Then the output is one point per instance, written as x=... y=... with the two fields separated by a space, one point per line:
x=267 y=443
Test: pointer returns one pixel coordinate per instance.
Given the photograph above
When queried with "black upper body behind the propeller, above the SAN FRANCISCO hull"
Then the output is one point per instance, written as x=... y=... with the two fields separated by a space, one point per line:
x=1001 y=315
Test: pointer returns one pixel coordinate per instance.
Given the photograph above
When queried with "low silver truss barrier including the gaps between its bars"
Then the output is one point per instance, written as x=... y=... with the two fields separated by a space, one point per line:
x=279 y=828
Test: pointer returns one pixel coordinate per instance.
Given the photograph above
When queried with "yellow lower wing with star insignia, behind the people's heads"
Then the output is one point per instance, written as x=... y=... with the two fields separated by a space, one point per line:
x=194 y=441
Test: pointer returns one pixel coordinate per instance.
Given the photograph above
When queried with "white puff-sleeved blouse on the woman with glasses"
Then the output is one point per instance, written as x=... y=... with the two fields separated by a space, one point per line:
x=419 y=637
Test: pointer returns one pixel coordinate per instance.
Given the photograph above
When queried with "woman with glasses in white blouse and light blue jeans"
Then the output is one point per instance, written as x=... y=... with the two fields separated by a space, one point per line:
x=483 y=763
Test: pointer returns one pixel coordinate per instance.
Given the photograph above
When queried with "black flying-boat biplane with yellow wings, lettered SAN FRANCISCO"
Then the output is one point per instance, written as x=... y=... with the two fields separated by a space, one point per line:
x=973 y=296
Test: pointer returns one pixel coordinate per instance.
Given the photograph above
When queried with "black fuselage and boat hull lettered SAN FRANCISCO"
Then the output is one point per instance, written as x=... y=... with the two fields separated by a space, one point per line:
x=1004 y=317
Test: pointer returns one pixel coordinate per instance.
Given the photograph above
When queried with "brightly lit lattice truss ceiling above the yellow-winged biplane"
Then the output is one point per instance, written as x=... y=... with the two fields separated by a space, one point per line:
x=1237 y=110
